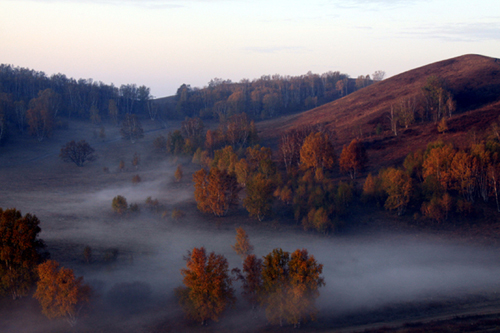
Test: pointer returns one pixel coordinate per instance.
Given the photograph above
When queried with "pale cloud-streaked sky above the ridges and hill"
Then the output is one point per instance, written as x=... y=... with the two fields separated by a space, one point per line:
x=165 y=43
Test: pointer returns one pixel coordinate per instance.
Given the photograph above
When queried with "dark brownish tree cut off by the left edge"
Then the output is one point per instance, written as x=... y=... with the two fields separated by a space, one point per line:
x=20 y=250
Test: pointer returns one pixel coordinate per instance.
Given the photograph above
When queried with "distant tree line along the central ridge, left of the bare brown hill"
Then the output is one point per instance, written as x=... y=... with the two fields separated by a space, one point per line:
x=266 y=97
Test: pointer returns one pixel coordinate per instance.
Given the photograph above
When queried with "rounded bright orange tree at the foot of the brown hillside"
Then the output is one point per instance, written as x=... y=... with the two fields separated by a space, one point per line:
x=317 y=152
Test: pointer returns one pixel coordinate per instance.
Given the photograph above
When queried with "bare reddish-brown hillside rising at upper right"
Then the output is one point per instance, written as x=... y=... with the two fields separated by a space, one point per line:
x=473 y=79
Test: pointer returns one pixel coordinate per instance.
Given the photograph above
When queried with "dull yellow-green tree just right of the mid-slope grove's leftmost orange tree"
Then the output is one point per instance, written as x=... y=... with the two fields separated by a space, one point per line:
x=259 y=199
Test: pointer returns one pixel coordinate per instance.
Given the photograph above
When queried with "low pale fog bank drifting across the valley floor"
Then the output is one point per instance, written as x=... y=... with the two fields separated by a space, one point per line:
x=361 y=272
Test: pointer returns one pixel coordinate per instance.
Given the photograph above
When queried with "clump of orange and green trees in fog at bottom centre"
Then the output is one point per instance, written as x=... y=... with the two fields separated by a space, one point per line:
x=285 y=285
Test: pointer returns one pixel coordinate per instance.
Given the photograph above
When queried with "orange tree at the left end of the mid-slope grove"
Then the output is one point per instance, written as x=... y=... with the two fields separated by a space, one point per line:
x=215 y=191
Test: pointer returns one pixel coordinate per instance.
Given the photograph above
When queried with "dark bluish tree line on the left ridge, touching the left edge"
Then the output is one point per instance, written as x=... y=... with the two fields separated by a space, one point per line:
x=30 y=100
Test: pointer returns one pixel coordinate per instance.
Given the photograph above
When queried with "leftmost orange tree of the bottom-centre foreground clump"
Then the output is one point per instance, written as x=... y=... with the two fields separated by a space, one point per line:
x=207 y=292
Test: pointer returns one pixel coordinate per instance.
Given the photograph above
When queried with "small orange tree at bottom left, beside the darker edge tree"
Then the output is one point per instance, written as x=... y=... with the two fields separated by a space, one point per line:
x=59 y=292
